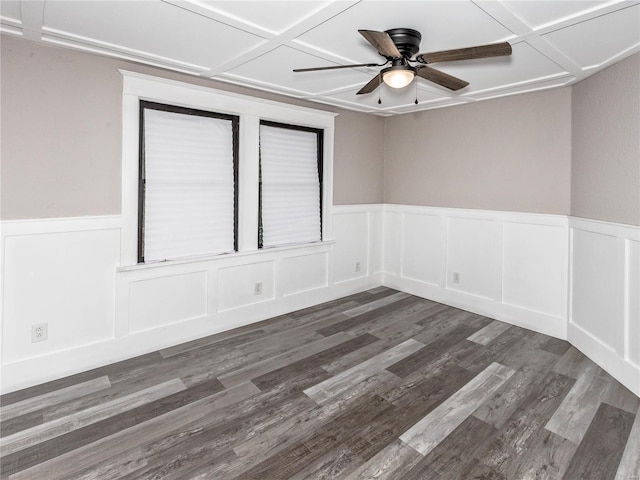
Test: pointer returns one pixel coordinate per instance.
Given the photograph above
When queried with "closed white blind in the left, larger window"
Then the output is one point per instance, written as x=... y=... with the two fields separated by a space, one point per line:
x=189 y=185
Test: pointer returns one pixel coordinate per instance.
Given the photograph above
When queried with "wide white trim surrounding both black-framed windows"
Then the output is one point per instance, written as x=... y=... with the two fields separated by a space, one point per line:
x=250 y=110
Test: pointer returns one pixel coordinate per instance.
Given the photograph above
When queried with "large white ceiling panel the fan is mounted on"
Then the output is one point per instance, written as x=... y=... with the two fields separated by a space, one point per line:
x=443 y=25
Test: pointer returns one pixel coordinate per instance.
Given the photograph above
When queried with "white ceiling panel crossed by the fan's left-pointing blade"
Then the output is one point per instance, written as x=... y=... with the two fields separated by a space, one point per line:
x=275 y=68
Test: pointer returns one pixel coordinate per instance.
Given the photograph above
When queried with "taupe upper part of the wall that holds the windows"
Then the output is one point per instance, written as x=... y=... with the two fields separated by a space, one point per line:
x=61 y=124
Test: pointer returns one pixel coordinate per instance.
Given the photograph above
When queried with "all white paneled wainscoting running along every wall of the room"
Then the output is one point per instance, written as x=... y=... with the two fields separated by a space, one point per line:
x=513 y=267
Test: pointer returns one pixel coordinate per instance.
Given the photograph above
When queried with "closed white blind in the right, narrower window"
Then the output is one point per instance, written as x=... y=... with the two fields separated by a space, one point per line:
x=290 y=186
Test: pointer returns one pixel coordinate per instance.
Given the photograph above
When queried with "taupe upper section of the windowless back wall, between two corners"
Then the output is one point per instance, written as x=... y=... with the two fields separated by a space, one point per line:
x=511 y=154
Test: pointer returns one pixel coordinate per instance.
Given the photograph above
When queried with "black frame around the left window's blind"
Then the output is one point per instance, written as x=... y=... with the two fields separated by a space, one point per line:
x=164 y=107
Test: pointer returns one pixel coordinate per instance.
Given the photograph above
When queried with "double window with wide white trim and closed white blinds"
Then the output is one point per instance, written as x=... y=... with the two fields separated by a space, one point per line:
x=207 y=199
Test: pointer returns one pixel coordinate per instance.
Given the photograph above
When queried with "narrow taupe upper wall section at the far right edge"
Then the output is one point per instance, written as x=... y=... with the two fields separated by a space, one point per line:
x=605 y=168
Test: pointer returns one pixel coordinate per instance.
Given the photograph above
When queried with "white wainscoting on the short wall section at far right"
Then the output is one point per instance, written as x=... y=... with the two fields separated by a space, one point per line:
x=604 y=318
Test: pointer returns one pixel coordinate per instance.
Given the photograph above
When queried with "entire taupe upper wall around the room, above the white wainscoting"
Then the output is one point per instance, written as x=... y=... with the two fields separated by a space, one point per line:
x=61 y=143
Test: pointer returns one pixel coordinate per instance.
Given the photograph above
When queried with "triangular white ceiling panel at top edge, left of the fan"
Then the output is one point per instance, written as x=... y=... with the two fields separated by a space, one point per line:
x=282 y=14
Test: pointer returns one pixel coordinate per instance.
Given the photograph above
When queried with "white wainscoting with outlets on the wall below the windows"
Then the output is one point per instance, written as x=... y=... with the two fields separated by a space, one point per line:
x=65 y=272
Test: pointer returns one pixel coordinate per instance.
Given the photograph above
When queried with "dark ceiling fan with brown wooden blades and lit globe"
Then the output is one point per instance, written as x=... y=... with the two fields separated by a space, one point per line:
x=399 y=45
